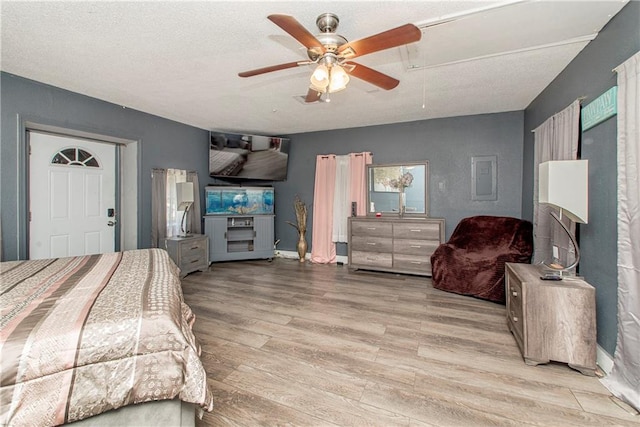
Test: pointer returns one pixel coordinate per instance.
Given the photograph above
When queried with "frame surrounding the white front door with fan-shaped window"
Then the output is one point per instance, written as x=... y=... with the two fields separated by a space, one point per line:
x=127 y=180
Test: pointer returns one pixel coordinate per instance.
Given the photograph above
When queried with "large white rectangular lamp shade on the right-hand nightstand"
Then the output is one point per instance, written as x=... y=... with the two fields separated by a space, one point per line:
x=565 y=185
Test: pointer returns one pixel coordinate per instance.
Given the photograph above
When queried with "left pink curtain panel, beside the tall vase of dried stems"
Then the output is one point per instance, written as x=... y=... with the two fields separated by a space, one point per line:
x=323 y=250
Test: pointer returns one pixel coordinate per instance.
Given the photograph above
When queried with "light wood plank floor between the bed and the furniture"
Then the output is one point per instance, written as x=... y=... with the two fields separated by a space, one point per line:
x=299 y=344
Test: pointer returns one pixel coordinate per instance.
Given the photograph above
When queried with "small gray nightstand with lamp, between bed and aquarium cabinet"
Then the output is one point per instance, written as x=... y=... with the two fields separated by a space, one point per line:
x=190 y=253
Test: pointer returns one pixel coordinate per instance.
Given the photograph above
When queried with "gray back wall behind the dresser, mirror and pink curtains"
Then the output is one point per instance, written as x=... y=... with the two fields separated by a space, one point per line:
x=448 y=144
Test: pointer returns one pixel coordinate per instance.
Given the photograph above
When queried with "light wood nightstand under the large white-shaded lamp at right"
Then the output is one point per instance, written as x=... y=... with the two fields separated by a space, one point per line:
x=551 y=320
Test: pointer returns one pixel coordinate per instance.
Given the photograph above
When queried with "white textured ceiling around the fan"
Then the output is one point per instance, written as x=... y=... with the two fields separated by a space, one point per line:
x=180 y=60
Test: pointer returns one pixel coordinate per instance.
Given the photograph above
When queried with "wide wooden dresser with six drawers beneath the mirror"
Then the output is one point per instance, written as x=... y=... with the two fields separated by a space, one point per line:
x=399 y=245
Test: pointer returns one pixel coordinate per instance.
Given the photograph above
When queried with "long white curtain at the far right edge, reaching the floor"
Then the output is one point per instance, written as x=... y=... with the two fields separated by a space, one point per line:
x=624 y=380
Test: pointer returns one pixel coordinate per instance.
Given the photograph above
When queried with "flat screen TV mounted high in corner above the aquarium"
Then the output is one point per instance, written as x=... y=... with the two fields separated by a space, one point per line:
x=248 y=157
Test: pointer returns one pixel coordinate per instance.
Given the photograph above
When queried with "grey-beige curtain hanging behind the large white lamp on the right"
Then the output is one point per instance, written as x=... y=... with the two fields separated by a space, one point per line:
x=555 y=139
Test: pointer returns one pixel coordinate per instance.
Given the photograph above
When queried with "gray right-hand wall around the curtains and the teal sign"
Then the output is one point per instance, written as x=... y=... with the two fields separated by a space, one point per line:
x=590 y=75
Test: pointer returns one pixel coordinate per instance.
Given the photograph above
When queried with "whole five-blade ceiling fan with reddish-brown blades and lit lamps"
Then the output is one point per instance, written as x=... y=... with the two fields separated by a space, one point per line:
x=334 y=54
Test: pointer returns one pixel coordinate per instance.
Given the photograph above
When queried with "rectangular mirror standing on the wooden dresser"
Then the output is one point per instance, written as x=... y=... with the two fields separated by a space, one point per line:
x=398 y=189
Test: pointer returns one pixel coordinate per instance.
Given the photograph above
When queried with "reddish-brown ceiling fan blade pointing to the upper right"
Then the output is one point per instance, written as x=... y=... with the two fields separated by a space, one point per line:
x=407 y=33
